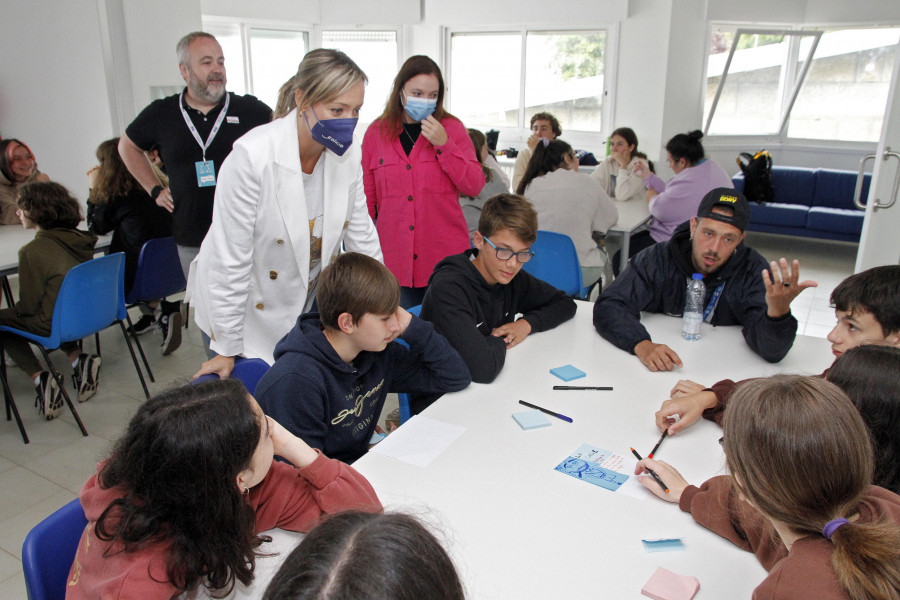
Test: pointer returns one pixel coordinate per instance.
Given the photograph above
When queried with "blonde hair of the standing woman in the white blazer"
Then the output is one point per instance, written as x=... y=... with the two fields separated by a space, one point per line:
x=323 y=74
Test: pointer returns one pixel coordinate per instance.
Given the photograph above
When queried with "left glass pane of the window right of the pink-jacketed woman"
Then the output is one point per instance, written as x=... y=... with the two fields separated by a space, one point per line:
x=484 y=79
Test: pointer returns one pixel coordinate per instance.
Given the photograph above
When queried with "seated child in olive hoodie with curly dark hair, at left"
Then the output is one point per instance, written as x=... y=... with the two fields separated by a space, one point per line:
x=53 y=213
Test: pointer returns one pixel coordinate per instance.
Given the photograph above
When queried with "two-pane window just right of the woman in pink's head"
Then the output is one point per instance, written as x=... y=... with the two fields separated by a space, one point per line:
x=502 y=79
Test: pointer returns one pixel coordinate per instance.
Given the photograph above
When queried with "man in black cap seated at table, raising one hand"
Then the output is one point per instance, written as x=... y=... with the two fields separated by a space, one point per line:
x=736 y=293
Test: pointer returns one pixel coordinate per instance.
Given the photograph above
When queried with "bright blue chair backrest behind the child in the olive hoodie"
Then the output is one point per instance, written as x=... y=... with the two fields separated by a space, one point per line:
x=91 y=298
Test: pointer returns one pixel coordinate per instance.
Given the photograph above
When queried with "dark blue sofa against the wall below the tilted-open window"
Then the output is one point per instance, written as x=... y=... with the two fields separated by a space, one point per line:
x=814 y=203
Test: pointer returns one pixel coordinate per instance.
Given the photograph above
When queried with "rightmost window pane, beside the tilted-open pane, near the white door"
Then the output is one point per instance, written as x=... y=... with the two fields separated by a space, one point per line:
x=845 y=92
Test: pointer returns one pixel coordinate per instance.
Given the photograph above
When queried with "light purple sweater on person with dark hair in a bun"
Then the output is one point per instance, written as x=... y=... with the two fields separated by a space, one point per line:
x=679 y=199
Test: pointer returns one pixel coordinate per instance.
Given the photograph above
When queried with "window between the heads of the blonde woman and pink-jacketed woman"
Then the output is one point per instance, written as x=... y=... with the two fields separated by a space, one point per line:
x=376 y=53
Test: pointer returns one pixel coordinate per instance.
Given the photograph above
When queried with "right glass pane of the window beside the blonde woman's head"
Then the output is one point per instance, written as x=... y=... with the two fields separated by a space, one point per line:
x=274 y=56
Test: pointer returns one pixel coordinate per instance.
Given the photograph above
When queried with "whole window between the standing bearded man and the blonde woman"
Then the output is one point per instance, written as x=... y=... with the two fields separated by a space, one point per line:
x=258 y=59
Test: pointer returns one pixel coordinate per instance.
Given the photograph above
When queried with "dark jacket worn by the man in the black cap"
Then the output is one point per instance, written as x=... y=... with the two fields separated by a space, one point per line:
x=655 y=282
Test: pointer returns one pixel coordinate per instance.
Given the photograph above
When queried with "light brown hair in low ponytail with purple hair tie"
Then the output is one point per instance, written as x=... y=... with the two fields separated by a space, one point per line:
x=800 y=452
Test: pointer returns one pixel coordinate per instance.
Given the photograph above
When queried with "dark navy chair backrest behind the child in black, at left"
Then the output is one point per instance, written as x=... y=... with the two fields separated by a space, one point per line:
x=159 y=272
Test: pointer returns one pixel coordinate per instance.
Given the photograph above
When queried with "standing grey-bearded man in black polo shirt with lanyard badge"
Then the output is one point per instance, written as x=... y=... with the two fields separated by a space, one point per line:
x=194 y=131
